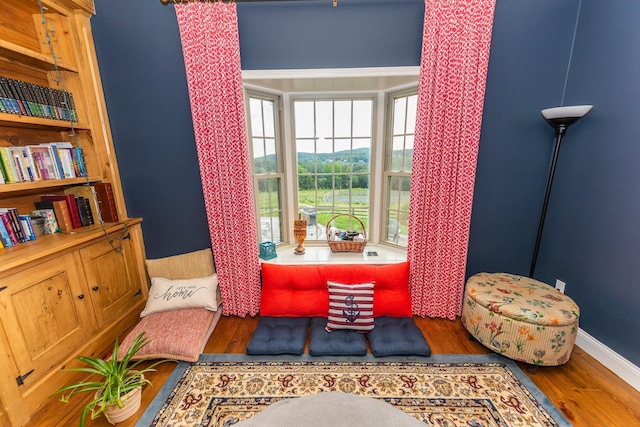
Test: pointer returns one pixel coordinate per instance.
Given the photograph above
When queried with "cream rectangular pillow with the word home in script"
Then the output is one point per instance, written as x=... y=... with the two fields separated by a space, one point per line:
x=166 y=294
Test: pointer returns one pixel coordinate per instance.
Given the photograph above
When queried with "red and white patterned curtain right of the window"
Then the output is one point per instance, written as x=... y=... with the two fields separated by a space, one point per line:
x=455 y=55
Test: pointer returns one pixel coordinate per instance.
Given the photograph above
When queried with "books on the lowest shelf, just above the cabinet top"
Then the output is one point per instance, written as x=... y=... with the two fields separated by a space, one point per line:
x=79 y=206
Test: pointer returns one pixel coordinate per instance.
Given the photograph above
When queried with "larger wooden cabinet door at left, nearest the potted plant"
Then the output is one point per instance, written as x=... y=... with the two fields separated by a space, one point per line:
x=45 y=316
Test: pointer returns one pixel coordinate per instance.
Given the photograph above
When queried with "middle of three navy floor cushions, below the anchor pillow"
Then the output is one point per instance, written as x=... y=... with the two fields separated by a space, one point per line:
x=341 y=342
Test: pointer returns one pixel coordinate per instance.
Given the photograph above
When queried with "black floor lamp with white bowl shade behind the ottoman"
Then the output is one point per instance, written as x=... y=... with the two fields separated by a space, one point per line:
x=560 y=118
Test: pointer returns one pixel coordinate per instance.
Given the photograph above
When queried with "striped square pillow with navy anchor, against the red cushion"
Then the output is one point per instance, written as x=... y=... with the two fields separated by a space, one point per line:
x=350 y=306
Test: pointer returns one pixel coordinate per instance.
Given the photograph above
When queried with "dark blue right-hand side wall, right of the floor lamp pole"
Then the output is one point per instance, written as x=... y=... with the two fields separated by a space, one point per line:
x=592 y=238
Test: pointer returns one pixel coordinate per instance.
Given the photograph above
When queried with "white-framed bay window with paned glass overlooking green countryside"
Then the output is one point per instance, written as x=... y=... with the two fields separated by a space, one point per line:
x=321 y=154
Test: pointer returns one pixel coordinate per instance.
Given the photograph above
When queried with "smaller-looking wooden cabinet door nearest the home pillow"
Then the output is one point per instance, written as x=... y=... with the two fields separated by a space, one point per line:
x=111 y=273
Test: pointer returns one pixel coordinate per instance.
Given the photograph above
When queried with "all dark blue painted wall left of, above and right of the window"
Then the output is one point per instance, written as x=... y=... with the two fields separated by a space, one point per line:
x=591 y=236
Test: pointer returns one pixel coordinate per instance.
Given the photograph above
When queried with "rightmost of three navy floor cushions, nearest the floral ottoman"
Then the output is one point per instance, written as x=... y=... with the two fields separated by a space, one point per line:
x=397 y=336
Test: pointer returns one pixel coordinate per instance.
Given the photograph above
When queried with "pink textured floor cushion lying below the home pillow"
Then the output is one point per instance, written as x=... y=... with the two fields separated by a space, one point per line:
x=178 y=334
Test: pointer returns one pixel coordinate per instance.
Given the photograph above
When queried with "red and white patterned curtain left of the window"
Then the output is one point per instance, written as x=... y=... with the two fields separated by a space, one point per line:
x=211 y=49
